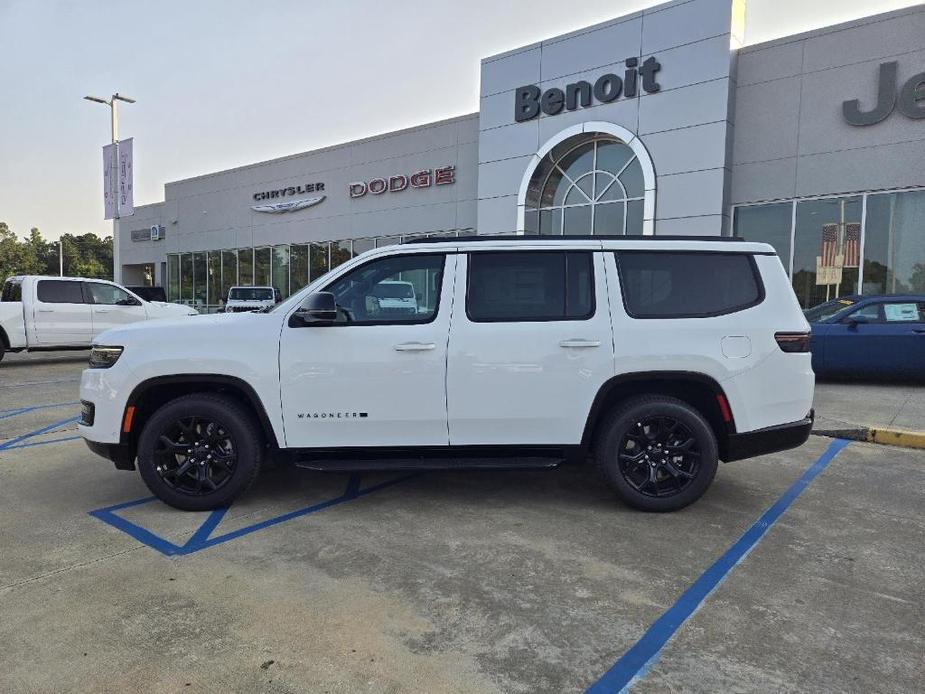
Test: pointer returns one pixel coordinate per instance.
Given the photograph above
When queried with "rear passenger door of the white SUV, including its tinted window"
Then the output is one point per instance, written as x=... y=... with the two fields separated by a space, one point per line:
x=531 y=343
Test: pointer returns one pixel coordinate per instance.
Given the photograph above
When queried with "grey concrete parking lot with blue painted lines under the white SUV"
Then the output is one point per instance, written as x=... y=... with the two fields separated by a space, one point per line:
x=799 y=571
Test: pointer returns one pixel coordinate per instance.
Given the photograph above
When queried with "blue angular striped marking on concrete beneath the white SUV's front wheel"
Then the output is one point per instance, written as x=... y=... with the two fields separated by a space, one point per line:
x=201 y=539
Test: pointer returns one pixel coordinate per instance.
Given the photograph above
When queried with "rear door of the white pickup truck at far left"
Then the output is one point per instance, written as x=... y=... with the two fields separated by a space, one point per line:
x=60 y=315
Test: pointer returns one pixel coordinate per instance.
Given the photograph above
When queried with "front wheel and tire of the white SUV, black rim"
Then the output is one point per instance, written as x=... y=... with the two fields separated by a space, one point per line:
x=200 y=452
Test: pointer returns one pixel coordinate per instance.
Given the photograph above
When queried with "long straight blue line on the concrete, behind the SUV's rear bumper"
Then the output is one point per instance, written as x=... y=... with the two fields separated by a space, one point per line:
x=637 y=661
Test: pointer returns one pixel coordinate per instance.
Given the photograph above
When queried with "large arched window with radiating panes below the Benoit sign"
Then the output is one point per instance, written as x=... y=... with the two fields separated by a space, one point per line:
x=590 y=183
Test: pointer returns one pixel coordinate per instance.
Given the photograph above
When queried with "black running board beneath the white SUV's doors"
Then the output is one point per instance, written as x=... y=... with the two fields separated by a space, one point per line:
x=419 y=464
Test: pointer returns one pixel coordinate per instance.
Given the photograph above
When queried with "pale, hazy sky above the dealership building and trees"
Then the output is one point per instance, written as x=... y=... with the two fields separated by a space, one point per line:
x=222 y=83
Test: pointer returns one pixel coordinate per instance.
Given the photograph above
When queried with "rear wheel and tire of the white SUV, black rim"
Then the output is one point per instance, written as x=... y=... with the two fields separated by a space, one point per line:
x=657 y=453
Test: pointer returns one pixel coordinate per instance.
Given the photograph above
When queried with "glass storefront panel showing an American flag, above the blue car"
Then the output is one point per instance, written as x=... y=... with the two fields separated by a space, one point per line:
x=827 y=249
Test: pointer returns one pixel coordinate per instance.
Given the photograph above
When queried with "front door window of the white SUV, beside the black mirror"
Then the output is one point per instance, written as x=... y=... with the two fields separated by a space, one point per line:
x=396 y=289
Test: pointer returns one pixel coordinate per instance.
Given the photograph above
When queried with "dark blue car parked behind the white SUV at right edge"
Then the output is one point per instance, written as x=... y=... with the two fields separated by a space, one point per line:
x=869 y=336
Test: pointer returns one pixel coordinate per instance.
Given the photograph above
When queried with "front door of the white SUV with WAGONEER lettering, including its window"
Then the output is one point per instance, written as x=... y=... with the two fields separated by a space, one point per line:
x=377 y=377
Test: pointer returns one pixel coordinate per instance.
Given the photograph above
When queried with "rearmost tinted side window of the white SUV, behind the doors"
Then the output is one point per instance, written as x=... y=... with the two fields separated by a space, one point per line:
x=660 y=284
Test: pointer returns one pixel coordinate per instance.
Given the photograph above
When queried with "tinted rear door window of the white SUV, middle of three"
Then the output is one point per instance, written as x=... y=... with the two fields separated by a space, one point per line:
x=530 y=286
